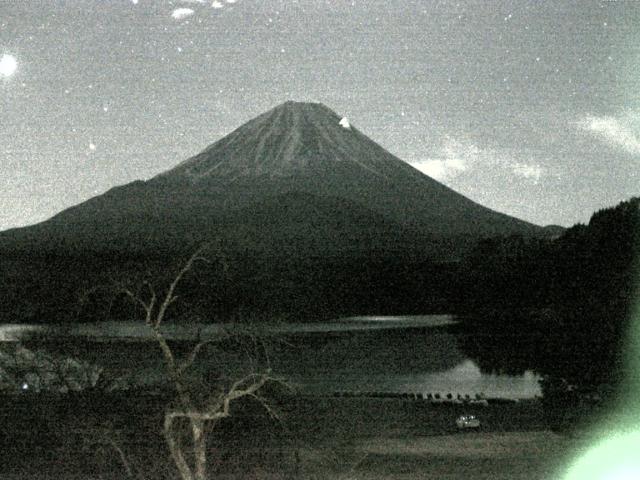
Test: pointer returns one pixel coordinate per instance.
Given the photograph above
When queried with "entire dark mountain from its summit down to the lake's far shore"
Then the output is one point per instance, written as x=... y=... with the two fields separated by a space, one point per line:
x=315 y=219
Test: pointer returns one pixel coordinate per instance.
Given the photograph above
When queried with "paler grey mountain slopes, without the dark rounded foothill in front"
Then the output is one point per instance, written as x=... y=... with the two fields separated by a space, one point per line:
x=294 y=148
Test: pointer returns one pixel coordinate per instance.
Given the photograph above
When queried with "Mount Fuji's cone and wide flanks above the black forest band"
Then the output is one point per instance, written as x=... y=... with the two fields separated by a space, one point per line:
x=296 y=177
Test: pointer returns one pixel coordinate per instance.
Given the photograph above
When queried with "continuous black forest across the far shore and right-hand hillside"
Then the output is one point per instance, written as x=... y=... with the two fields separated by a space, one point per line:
x=556 y=290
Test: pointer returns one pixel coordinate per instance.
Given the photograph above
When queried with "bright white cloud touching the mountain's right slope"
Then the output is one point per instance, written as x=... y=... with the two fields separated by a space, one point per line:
x=453 y=158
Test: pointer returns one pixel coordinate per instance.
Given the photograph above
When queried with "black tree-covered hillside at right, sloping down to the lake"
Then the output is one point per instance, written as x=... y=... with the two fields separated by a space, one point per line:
x=561 y=307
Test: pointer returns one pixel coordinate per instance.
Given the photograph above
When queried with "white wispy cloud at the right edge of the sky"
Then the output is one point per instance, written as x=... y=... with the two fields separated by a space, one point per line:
x=623 y=132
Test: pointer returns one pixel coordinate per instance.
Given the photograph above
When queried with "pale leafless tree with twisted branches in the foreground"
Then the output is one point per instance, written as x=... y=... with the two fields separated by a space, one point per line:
x=201 y=412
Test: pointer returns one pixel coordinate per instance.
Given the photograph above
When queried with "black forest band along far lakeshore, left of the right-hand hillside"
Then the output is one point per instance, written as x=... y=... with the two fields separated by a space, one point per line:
x=60 y=287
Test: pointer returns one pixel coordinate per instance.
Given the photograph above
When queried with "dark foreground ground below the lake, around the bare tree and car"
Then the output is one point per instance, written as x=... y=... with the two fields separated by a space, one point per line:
x=91 y=437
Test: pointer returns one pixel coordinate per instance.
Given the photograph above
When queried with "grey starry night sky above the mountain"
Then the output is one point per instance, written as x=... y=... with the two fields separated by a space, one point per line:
x=531 y=108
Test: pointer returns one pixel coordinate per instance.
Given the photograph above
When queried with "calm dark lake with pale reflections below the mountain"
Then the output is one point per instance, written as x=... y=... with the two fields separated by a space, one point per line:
x=404 y=354
